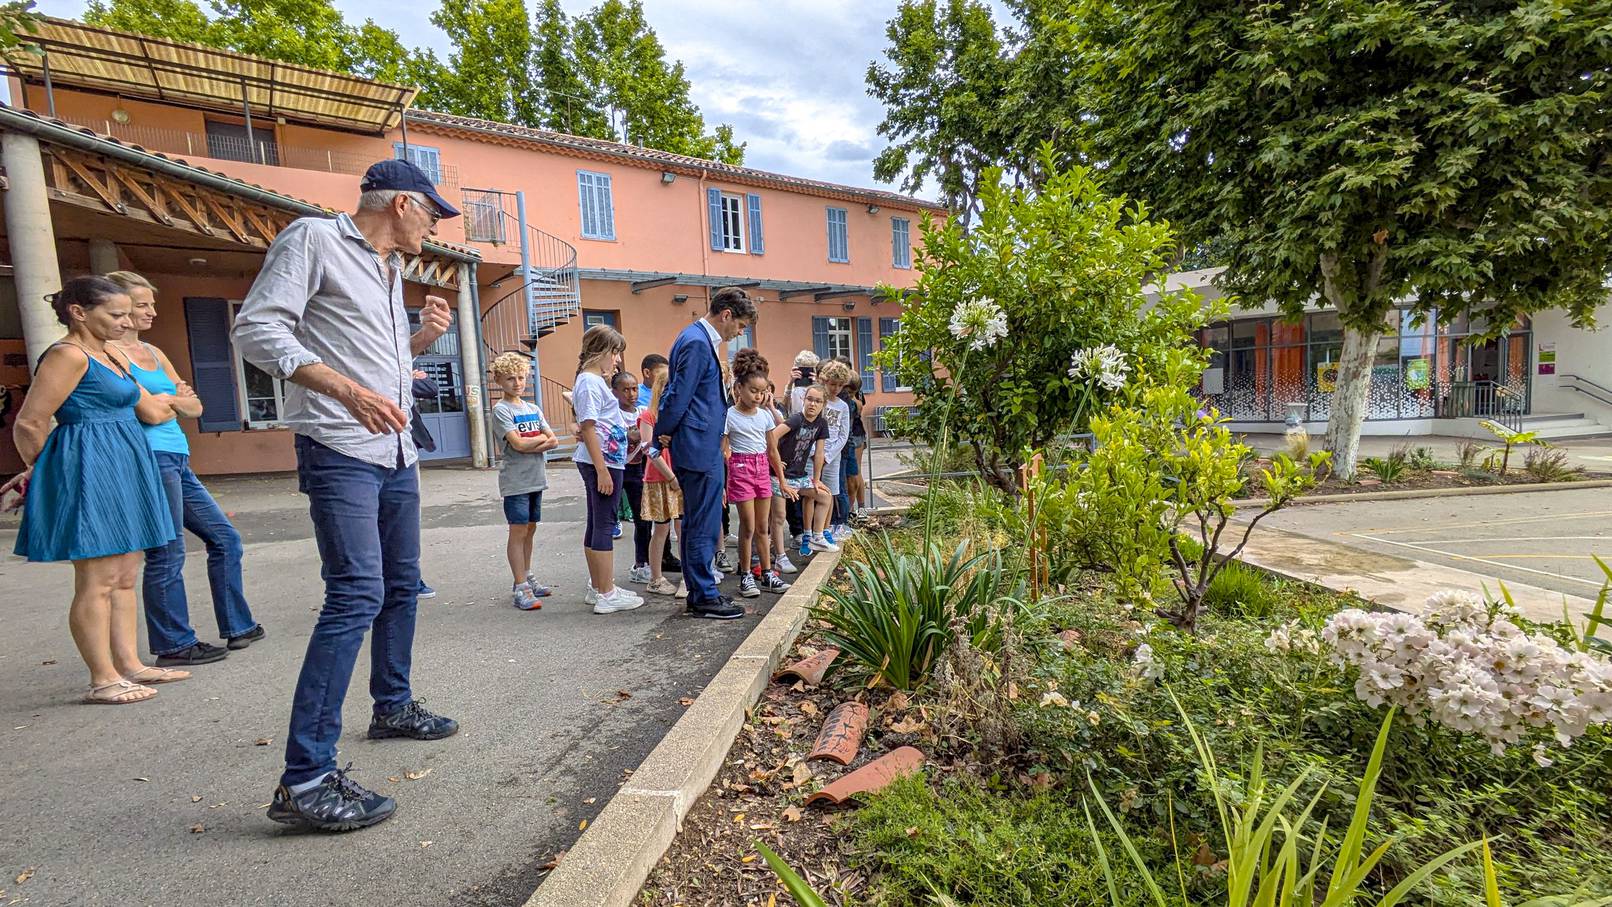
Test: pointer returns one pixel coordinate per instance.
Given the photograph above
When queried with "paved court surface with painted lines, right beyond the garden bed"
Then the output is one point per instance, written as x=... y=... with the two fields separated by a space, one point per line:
x=1547 y=539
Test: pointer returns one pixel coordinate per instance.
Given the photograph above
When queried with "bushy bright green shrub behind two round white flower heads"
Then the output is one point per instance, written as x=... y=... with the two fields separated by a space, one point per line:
x=991 y=336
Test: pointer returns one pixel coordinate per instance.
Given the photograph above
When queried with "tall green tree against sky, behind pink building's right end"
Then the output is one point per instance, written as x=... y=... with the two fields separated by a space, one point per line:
x=944 y=93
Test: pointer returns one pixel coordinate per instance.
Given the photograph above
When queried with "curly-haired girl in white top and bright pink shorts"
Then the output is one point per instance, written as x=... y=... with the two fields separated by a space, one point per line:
x=752 y=465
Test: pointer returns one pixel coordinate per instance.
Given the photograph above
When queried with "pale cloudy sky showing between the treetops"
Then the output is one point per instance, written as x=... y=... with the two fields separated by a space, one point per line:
x=789 y=75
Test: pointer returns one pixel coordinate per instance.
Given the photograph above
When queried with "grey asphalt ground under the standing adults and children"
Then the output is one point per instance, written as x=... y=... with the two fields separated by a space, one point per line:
x=164 y=803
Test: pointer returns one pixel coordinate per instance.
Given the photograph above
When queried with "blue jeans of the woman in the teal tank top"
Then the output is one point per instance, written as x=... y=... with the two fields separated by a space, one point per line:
x=167 y=607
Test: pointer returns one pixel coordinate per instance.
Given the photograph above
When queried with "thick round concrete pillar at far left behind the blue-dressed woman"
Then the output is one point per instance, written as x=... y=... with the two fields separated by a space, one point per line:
x=33 y=242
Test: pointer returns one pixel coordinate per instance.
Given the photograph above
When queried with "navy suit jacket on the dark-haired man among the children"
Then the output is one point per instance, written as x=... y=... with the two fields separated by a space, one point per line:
x=694 y=405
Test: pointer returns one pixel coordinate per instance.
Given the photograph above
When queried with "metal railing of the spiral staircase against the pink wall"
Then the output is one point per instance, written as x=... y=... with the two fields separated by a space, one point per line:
x=512 y=325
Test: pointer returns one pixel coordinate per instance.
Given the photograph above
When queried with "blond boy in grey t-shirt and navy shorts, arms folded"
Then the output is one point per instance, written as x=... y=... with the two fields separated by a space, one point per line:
x=525 y=439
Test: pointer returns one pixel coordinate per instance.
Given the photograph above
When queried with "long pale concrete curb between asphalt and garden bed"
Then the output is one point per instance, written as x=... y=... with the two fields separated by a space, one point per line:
x=615 y=856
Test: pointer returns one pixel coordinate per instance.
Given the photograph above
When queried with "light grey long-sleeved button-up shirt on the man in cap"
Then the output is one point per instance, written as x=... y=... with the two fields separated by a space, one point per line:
x=323 y=296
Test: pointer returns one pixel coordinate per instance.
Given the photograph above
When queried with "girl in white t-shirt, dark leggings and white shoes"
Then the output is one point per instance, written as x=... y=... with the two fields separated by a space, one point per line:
x=602 y=460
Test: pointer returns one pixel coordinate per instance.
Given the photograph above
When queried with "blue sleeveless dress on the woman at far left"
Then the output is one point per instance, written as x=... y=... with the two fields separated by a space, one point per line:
x=96 y=487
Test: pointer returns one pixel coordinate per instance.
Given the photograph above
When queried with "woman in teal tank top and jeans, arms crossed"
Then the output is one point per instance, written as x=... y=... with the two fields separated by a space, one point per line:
x=172 y=637
